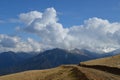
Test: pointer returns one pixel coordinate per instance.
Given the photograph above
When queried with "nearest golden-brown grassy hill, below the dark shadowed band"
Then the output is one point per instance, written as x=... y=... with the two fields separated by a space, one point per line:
x=68 y=72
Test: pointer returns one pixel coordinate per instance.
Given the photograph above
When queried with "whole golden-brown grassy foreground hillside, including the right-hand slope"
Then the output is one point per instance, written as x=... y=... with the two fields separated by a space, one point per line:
x=73 y=72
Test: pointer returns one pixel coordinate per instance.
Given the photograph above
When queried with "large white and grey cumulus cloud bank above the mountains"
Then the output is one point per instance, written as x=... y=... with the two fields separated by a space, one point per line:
x=95 y=34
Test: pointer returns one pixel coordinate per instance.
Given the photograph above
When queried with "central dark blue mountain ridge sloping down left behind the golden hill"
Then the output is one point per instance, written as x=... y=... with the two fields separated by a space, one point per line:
x=52 y=58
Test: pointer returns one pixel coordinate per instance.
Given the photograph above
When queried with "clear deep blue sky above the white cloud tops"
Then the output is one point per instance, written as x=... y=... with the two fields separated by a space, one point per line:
x=71 y=12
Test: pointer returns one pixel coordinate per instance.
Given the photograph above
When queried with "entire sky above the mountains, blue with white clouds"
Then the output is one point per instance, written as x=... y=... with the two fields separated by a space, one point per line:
x=36 y=25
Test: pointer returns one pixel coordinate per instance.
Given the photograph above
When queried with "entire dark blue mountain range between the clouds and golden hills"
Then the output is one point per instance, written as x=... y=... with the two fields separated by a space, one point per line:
x=11 y=62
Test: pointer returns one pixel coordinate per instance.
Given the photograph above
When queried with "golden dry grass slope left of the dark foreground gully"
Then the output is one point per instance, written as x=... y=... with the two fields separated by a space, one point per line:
x=59 y=73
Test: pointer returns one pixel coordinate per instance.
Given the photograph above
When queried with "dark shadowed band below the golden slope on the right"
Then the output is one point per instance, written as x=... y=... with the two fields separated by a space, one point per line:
x=113 y=70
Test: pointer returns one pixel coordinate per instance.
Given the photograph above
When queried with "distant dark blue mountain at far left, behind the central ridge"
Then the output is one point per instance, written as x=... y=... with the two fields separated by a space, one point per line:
x=8 y=59
